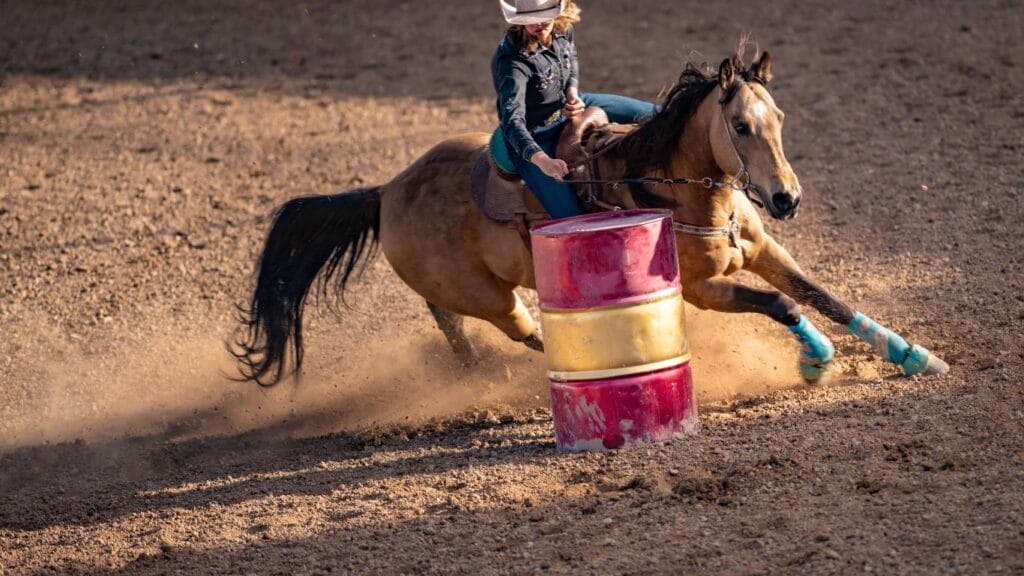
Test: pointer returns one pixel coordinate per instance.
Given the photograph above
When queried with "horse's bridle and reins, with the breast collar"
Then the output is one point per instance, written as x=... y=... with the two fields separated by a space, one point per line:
x=740 y=182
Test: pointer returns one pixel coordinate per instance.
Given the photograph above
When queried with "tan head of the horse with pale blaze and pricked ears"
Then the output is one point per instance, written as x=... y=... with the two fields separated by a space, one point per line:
x=747 y=135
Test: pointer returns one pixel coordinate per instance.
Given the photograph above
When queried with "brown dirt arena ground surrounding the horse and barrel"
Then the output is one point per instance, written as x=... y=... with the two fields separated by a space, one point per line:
x=144 y=146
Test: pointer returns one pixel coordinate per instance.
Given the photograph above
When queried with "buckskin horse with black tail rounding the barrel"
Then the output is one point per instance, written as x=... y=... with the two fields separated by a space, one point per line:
x=711 y=129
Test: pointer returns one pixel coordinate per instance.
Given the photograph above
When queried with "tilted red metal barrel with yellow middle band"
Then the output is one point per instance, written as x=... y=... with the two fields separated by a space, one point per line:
x=615 y=335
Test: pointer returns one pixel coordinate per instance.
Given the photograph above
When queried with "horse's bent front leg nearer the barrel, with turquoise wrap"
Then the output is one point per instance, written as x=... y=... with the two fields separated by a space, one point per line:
x=724 y=295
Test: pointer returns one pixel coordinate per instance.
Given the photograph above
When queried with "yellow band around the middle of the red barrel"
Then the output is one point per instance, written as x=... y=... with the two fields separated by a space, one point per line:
x=613 y=340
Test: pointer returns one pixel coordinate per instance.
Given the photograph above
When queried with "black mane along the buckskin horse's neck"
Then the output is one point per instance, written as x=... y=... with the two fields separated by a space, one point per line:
x=652 y=145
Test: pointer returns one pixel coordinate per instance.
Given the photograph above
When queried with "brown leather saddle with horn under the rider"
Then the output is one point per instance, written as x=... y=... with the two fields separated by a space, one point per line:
x=500 y=193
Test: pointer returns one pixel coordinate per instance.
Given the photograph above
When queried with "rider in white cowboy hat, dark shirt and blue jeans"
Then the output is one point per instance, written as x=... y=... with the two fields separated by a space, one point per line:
x=535 y=72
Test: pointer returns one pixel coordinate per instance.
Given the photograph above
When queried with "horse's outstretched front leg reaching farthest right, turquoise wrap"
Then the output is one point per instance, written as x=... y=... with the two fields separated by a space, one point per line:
x=777 y=266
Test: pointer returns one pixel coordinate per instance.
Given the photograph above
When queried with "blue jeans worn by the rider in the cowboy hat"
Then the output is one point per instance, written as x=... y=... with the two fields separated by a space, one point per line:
x=559 y=198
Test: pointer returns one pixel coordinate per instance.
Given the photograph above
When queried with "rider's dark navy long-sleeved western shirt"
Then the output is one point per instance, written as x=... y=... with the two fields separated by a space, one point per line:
x=532 y=87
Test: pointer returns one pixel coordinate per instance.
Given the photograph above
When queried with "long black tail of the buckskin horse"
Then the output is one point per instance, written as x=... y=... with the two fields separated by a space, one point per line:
x=311 y=235
